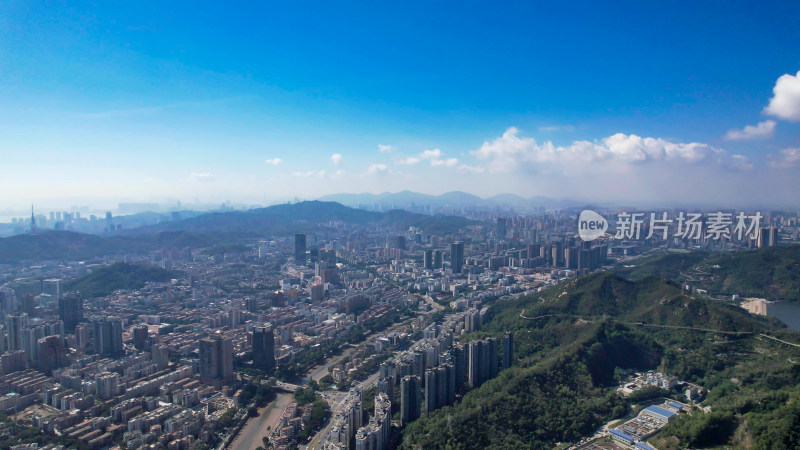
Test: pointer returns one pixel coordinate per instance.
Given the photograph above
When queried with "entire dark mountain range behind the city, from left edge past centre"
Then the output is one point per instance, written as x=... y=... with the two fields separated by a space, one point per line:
x=212 y=229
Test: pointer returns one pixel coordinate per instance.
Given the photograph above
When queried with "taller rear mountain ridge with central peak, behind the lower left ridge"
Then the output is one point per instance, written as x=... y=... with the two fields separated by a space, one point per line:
x=309 y=216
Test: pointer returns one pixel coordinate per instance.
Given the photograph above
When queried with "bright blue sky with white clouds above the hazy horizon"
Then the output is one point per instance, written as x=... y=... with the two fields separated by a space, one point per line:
x=102 y=102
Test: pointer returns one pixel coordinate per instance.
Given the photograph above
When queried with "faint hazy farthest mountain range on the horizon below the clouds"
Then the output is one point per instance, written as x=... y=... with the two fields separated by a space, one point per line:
x=455 y=199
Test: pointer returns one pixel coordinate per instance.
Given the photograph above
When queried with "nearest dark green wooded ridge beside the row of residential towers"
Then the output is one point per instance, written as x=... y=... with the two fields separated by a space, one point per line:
x=537 y=404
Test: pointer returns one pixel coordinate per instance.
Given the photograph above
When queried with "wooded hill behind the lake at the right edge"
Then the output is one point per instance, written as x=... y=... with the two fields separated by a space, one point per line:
x=772 y=272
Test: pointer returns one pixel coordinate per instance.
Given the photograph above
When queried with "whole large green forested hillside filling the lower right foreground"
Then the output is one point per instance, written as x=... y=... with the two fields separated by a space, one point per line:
x=559 y=388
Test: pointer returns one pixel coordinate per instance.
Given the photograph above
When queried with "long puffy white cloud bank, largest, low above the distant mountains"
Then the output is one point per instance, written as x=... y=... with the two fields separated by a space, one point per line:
x=511 y=152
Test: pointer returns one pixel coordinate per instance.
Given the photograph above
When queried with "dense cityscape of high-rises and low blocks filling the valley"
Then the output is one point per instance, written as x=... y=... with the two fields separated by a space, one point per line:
x=336 y=339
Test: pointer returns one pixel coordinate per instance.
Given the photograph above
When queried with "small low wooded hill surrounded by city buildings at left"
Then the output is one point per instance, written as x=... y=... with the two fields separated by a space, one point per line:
x=106 y=280
